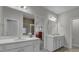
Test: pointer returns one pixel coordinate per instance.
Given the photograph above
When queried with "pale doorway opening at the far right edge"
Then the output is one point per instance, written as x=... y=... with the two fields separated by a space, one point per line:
x=75 y=33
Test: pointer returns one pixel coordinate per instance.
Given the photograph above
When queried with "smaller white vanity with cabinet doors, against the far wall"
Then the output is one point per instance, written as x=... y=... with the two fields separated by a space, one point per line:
x=54 y=43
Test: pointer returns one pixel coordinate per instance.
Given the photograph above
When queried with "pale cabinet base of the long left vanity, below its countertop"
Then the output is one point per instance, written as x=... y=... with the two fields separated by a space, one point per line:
x=24 y=46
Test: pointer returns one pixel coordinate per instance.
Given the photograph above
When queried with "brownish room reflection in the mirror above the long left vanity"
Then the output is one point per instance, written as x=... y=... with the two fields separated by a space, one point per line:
x=28 y=26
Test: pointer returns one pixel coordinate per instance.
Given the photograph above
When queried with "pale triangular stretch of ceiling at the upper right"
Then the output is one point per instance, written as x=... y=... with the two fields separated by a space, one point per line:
x=60 y=9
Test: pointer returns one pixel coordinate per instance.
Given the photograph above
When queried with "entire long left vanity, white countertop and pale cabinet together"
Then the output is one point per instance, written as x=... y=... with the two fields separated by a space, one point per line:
x=25 y=44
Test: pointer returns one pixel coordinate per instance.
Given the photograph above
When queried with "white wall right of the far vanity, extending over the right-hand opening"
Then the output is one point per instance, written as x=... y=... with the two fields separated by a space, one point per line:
x=65 y=25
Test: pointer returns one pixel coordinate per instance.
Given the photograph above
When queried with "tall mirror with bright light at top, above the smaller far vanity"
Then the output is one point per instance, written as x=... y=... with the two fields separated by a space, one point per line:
x=52 y=25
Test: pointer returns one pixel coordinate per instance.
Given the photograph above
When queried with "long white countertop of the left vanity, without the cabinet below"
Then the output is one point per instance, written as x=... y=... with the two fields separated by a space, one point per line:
x=5 y=40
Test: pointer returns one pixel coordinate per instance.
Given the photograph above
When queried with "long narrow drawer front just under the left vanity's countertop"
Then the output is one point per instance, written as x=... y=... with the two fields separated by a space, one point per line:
x=17 y=45
